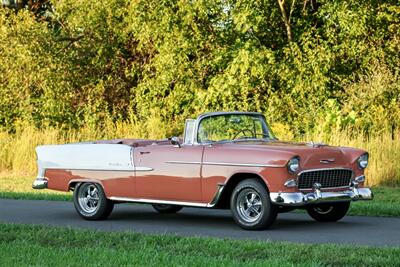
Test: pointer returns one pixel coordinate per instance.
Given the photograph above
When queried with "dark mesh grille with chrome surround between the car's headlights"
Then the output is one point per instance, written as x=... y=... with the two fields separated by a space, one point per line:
x=329 y=178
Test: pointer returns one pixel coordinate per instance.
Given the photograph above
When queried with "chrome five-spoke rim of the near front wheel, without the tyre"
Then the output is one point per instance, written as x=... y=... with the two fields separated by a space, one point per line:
x=249 y=205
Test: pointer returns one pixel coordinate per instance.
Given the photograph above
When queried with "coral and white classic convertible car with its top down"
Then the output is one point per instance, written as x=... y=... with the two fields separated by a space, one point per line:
x=225 y=160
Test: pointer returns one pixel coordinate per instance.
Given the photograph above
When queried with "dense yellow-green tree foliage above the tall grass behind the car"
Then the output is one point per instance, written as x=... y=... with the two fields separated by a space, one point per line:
x=308 y=65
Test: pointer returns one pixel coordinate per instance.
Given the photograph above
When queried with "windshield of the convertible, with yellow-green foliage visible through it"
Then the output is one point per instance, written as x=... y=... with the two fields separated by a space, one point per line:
x=231 y=127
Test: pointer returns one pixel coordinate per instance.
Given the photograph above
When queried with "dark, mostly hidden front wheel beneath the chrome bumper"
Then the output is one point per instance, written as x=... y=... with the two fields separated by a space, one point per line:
x=329 y=212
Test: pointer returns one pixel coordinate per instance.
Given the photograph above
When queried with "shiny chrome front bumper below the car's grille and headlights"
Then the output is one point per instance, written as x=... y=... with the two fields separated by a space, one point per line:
x=301 y=199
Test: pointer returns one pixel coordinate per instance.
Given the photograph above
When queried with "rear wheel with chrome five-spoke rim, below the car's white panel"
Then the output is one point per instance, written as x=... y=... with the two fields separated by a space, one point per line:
x=91 y=203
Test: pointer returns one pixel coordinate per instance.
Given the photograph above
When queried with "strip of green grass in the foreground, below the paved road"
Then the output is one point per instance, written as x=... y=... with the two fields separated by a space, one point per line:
x=23 y=245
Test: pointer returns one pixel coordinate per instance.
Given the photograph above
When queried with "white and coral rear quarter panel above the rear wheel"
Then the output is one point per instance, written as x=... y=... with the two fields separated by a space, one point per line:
x=111 y=165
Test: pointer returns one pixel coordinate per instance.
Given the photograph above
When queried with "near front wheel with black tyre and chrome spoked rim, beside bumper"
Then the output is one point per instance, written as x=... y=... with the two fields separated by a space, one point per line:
x=251 y=206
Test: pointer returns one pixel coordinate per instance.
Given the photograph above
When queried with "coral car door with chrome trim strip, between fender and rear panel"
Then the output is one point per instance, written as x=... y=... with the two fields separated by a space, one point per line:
x=168 y=172
